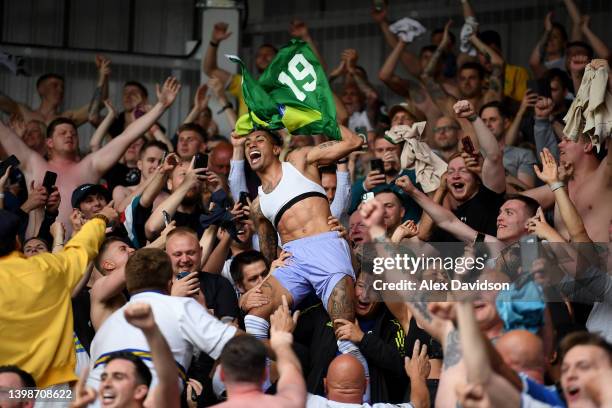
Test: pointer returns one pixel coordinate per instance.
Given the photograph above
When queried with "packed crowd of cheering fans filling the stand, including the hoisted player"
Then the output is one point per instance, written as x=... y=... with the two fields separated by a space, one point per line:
x=147 y=268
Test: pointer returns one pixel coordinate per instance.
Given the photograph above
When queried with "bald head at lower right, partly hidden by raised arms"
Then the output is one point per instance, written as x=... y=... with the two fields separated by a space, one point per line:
x=523 y=351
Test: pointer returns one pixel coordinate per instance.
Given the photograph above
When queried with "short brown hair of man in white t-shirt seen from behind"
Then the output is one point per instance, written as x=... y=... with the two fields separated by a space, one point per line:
x=148 y=268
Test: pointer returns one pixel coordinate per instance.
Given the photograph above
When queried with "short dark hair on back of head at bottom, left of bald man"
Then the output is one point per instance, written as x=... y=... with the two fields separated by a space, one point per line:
x=243 y=360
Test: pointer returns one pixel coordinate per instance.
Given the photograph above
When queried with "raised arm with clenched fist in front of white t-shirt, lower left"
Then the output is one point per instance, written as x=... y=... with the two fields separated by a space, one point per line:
x=166 y=393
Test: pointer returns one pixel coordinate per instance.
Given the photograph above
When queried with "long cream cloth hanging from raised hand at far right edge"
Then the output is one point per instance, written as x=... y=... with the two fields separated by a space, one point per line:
x=592 y=107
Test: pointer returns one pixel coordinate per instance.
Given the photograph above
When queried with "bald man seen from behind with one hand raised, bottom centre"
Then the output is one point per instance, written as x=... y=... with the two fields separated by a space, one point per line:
x=345 y=383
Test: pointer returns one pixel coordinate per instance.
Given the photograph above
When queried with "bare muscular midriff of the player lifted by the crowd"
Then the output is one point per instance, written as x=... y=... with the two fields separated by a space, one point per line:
x=305 y=218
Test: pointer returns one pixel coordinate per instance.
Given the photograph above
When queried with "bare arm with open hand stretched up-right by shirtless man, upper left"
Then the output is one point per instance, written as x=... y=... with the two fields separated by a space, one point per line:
x=106 y=157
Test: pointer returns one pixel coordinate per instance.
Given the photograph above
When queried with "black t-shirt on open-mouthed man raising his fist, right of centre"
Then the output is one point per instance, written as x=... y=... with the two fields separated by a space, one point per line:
x=479 y=212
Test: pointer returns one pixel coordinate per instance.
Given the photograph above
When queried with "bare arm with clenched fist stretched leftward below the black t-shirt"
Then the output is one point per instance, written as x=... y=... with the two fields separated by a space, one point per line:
x=443 y=217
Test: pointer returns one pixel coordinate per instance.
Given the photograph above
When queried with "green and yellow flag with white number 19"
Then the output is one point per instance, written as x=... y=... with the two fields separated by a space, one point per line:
x=292 y=93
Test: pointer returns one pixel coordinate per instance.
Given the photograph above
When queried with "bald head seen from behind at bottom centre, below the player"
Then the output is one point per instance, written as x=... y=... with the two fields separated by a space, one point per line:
x=345 y=380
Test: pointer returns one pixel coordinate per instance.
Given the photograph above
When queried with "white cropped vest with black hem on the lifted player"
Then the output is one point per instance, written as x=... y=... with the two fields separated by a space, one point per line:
x=293 y=187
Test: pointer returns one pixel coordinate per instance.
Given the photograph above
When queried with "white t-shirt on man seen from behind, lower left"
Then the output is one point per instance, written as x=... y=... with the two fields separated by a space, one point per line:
x=187 y=327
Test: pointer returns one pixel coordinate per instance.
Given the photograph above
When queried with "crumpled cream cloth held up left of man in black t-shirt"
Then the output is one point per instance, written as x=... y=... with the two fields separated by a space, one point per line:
x=428 y=167
